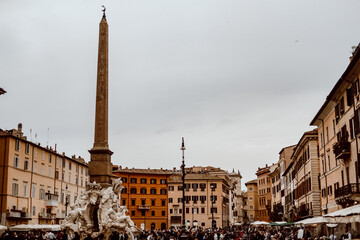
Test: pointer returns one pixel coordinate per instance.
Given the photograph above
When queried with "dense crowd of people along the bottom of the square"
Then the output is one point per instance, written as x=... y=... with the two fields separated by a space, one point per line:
x=172 y=234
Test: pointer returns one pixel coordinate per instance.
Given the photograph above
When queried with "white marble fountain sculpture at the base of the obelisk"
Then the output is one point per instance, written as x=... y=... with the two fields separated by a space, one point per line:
x=98 y=211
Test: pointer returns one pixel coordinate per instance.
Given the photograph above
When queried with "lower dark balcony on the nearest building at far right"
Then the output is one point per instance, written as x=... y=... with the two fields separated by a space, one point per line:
x=347 y=194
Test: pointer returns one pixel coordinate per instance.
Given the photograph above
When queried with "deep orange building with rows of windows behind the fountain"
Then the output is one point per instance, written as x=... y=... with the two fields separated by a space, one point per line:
x=145 y=195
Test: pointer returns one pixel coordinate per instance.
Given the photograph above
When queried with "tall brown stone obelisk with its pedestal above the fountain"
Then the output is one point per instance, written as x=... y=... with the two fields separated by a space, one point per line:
x=100 y=167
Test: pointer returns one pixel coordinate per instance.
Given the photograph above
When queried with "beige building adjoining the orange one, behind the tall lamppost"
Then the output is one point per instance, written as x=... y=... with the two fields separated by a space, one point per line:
x=206 y=198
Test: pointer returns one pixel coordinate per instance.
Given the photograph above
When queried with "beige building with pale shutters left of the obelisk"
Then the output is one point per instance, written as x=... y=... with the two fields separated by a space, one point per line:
x=38 y=185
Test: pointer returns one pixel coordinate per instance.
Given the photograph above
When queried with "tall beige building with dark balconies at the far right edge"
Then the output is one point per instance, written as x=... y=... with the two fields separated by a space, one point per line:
x=338 y=132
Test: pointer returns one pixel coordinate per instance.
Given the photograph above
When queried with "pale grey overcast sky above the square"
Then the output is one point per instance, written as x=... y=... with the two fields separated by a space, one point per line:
x=239 y=80
